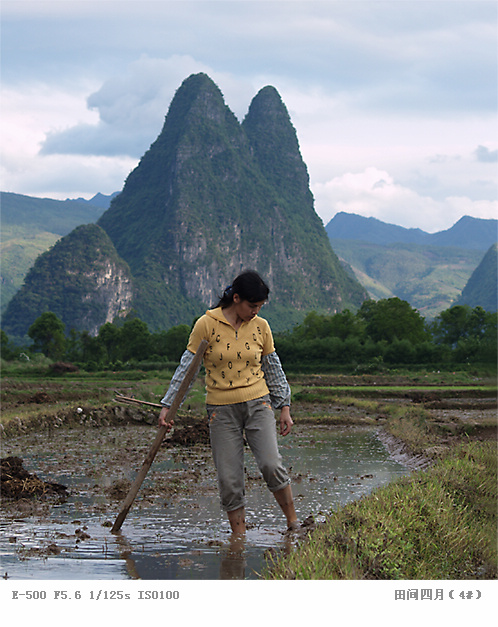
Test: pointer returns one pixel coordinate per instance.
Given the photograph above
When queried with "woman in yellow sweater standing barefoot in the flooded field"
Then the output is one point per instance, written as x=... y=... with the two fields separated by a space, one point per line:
x=244 y=380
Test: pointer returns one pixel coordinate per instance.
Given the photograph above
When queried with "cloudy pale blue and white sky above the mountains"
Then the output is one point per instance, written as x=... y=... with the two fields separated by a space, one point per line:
x=394 y=102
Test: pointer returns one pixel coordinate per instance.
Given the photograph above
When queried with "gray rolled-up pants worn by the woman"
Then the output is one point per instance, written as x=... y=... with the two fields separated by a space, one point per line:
x=227 y=425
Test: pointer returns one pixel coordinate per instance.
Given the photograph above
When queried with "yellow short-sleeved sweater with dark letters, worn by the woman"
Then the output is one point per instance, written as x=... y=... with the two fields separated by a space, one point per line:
x=233 y=358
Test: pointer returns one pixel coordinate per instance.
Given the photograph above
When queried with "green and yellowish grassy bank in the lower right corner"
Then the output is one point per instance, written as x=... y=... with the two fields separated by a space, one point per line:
x=436 y=524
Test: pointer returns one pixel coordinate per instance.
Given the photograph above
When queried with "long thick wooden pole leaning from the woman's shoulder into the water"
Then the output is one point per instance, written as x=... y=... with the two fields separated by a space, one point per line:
x=189 y=376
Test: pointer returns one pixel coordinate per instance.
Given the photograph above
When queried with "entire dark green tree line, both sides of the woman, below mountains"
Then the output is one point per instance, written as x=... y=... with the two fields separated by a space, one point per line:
x=387 y=332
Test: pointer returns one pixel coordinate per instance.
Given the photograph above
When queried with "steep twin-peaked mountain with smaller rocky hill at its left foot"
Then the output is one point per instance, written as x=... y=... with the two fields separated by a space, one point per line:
x=211 y=197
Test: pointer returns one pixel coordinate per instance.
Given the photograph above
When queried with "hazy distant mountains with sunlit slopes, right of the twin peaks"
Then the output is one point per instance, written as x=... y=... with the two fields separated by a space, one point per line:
x=427 y=270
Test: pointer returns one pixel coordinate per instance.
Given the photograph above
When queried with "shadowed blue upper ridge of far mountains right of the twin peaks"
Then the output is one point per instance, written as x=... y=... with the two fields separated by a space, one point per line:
x=468 y=232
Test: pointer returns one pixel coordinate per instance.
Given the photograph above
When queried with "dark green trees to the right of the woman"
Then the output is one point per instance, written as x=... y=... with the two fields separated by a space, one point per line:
x=391 y=333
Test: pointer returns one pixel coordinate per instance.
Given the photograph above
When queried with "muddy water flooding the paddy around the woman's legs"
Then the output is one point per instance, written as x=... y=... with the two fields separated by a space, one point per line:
x=175 y=528
